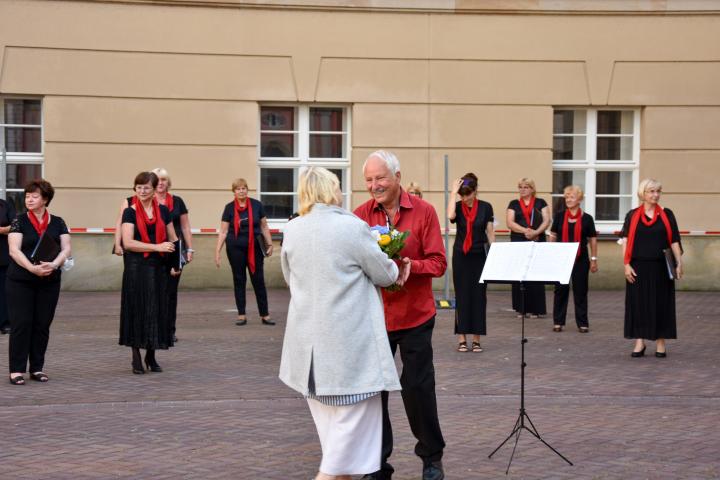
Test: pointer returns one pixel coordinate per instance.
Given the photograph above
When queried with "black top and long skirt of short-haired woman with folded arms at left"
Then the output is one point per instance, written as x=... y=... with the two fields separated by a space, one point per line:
x=144 y=318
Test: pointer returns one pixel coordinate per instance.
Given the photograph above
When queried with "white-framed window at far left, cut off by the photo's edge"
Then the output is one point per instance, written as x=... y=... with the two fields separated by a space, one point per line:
x=21 y=146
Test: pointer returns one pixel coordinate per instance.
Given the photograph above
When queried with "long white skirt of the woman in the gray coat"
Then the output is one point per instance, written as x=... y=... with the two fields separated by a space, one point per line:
x=350 y=436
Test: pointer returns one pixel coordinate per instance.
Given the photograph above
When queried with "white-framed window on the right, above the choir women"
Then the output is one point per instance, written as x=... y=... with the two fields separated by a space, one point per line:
x=599 y=150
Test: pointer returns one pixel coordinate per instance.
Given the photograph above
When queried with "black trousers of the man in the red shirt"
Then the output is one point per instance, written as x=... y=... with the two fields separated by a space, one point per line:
x=418 y=394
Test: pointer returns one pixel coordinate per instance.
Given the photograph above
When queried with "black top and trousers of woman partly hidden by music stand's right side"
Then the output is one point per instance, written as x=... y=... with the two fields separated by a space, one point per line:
x=580 y=273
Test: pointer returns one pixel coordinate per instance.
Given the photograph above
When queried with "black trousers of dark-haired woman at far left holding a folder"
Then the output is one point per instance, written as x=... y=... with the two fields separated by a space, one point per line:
x=31 y=311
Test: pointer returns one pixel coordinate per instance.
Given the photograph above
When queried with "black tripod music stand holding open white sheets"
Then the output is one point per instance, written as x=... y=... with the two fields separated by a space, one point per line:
x=525 y=263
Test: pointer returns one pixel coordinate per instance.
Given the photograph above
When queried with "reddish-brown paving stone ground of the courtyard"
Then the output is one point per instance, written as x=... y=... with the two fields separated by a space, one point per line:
x=219 y=411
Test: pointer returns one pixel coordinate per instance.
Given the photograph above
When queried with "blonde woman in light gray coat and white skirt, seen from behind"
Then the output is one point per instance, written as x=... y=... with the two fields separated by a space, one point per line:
x=336 y=351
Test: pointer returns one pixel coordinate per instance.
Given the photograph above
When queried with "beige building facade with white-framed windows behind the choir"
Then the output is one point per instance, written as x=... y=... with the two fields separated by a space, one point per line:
x=598 y=93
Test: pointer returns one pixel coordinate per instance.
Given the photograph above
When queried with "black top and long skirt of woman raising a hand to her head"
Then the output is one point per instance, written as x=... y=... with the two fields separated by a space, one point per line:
x=470 y=294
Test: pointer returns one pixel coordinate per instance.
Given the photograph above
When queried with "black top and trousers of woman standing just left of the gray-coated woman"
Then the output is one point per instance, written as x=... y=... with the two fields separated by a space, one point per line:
x=236 y=248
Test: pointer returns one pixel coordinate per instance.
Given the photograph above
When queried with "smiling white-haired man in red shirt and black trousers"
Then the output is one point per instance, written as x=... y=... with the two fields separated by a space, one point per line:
x=409 y=313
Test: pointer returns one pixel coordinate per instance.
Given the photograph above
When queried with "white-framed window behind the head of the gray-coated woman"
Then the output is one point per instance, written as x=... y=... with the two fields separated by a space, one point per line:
x=296 y=136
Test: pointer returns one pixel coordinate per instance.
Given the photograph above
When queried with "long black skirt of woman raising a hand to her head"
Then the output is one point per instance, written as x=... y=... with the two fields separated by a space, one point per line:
x=470 y=294
